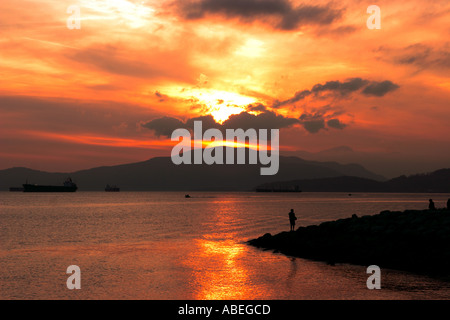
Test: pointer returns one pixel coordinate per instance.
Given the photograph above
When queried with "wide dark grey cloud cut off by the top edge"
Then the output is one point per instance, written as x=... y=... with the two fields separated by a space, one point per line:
x=280 y=14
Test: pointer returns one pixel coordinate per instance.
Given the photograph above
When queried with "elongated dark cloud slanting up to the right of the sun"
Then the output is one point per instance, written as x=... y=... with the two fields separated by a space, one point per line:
x=342 y=89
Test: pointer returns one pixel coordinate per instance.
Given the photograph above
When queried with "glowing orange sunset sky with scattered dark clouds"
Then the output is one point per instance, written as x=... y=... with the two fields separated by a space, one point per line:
x=113 y=91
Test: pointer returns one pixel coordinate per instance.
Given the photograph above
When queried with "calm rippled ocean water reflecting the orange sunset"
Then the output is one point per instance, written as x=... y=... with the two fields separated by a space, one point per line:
x=159 y=245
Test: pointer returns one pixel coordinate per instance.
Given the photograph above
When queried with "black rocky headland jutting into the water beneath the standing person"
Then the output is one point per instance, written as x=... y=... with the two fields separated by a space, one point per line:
x=415 y=241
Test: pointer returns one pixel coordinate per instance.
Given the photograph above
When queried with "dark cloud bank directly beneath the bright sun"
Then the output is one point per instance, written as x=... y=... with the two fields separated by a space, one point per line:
x=265 y=120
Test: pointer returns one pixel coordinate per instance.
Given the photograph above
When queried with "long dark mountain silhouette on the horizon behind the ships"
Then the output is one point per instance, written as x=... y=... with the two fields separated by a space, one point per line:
x=160 y=174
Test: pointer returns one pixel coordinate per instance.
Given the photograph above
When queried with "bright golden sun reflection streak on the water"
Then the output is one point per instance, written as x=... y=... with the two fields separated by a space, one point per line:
x=219 y=262
